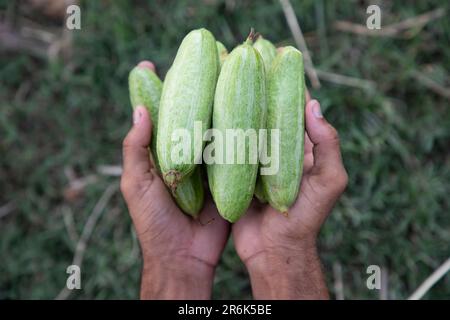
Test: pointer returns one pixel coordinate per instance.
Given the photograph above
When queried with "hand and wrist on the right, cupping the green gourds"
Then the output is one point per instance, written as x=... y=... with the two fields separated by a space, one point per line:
x=280 y=251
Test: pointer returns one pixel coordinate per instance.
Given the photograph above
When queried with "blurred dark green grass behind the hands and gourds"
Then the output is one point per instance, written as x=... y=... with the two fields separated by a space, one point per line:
x=62 y=118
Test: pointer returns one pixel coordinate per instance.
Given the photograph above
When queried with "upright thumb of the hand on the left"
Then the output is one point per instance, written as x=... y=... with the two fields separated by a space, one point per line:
x=136 y=161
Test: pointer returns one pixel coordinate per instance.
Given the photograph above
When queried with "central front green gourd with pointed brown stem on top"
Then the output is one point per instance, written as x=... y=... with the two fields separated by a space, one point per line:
x=239 y=103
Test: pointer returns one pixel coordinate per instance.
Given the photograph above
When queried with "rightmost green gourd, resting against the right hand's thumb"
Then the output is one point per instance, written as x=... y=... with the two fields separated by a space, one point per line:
x=285 y=111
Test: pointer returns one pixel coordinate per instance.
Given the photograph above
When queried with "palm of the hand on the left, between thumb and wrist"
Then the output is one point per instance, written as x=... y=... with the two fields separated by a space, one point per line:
x=173 y=233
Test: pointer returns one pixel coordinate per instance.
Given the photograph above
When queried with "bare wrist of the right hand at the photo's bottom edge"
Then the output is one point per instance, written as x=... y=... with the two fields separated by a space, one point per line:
x=282 y=273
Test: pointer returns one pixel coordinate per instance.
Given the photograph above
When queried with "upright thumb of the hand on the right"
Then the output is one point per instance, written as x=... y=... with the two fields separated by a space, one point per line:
x=326 y=149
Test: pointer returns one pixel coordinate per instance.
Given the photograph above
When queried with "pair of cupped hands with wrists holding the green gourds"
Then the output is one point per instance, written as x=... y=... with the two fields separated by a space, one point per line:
x=180 y=254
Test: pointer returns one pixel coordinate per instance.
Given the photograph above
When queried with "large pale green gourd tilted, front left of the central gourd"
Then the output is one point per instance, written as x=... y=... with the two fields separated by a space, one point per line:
x=186 y=101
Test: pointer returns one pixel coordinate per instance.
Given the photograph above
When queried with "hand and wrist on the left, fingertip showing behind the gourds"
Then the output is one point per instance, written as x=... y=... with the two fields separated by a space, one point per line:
x=179 y=253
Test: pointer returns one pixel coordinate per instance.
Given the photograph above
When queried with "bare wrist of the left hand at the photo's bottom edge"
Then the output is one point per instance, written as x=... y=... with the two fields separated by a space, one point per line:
x=183 y=278
